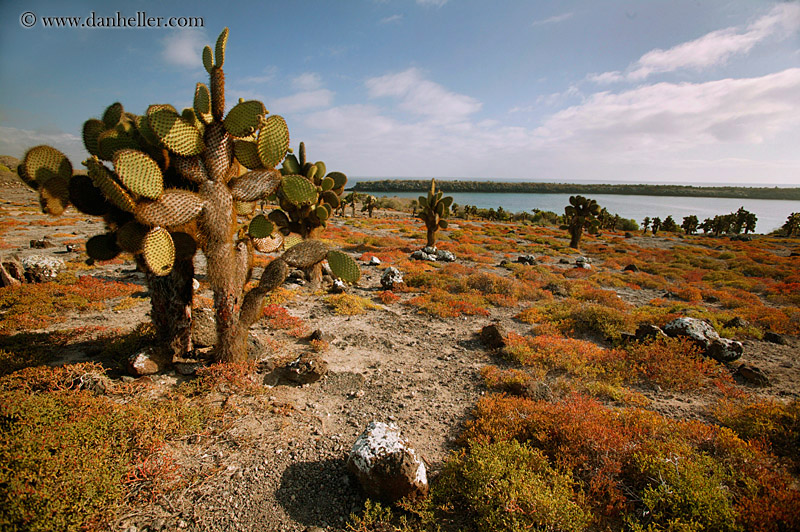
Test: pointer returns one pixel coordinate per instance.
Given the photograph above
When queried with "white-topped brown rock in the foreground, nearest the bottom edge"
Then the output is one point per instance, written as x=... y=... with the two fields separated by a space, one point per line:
x=386 y=466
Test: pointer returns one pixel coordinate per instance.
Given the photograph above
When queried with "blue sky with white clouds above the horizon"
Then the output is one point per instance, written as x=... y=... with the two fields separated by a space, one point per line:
x=639 y=91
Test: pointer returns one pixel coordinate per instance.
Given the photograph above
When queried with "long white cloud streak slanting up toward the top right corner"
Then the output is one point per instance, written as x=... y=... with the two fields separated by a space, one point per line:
x=712 y=49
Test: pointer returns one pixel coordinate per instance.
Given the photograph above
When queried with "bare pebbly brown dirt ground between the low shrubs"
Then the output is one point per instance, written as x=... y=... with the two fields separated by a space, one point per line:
x=279 y=463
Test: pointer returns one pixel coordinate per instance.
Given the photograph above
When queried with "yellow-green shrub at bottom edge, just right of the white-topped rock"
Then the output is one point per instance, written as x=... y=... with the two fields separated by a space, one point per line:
x=510 y=486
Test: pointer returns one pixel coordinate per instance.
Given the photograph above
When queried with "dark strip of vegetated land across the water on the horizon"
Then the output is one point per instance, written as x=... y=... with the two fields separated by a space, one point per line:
x=421 y=185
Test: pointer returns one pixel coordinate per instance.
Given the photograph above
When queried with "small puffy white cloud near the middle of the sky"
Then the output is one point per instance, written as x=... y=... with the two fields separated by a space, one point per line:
x=420 y=96
